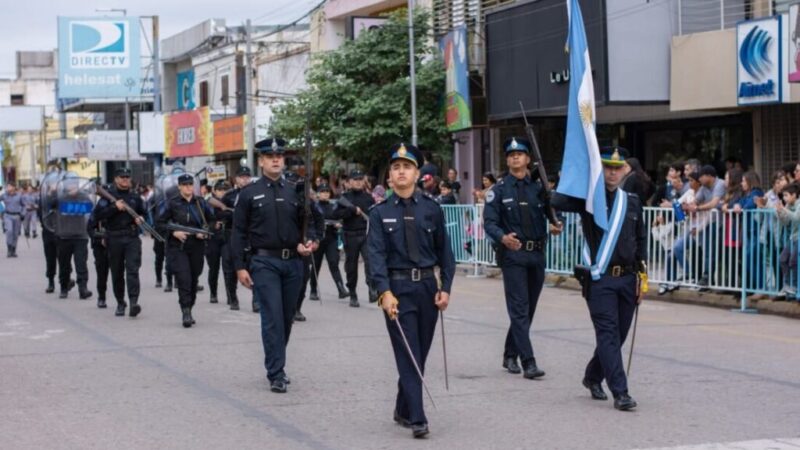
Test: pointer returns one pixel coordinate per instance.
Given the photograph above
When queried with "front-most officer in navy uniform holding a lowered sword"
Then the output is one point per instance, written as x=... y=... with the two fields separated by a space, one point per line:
x=407 y=240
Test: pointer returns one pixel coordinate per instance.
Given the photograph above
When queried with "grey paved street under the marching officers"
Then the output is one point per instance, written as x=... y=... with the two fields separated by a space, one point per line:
x=73 y=376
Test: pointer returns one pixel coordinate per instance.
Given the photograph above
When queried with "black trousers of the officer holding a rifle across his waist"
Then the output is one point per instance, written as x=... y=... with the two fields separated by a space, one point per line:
x=187 y=265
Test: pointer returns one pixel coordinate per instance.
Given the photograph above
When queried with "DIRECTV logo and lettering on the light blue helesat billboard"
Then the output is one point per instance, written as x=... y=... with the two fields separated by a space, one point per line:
x=99 y=45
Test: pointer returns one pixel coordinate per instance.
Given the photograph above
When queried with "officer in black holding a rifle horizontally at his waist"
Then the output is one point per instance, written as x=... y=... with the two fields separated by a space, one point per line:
x=186 y=246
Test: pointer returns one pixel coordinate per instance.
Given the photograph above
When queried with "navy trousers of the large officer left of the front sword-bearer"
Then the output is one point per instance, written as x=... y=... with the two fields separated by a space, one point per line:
x=276 y=286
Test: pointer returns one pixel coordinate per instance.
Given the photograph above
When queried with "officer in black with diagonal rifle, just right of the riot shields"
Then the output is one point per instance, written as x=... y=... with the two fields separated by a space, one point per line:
x=122 y=240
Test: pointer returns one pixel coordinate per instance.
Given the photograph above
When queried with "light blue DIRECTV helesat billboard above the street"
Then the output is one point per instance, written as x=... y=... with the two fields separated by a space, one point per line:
x=98 y=57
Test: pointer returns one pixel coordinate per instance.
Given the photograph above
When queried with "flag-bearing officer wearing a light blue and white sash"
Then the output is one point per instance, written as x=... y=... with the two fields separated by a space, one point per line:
x=613 y=277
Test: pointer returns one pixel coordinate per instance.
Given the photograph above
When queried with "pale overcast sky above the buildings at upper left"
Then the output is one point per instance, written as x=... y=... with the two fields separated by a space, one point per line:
x=31 y=24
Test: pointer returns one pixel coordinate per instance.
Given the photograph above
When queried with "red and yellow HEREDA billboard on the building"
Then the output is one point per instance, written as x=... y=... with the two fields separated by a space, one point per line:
x=188 y=133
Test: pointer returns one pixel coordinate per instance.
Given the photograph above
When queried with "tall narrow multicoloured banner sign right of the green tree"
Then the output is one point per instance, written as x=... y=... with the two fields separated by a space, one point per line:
x=458 y=112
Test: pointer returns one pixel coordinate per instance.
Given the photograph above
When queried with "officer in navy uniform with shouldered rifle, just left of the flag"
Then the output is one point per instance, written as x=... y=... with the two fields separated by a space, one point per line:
x=514 y=217
